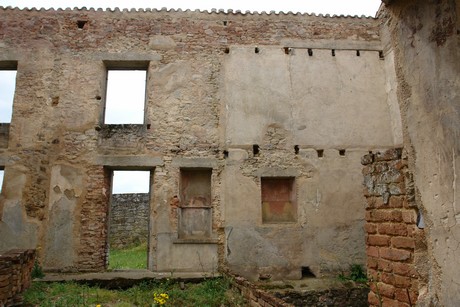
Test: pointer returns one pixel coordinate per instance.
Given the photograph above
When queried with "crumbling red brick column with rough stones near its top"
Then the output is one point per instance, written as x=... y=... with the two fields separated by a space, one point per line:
x=391 y=230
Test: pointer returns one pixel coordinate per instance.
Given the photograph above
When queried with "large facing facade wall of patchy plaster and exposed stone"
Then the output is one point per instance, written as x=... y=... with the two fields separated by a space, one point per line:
x=205 y=108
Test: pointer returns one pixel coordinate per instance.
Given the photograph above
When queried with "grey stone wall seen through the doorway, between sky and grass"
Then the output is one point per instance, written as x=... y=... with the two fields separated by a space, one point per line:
x=129 y=219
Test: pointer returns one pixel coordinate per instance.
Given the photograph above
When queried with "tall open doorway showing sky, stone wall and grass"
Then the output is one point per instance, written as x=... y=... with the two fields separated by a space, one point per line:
x=129 y=220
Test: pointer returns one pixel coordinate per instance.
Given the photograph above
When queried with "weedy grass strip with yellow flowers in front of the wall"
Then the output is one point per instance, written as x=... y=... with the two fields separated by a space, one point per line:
x=210 y=292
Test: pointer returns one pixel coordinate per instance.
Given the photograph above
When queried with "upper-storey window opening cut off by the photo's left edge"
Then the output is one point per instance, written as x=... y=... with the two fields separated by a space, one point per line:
x=7 y=89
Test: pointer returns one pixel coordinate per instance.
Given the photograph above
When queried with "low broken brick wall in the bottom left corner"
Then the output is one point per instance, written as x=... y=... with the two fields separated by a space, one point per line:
x=15 y=275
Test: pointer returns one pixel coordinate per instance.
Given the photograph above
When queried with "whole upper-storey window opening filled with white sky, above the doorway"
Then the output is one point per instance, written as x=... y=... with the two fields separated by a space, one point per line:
x=125 y=96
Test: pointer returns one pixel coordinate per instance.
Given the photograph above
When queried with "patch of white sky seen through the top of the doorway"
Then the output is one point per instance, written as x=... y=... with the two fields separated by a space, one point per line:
x=125 y=182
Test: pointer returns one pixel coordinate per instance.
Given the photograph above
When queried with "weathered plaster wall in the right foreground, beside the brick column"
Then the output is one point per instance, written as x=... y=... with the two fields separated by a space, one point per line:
x=423 y=35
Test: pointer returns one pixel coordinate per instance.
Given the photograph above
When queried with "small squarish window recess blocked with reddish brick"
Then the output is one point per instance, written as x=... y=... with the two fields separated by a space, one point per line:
x=278 y=200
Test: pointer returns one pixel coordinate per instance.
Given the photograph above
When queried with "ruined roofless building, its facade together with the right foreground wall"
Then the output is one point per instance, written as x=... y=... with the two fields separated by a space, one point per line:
x=253 y=131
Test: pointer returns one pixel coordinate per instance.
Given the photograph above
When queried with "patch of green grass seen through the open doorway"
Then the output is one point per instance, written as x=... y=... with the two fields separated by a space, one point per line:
x=129 y=258
